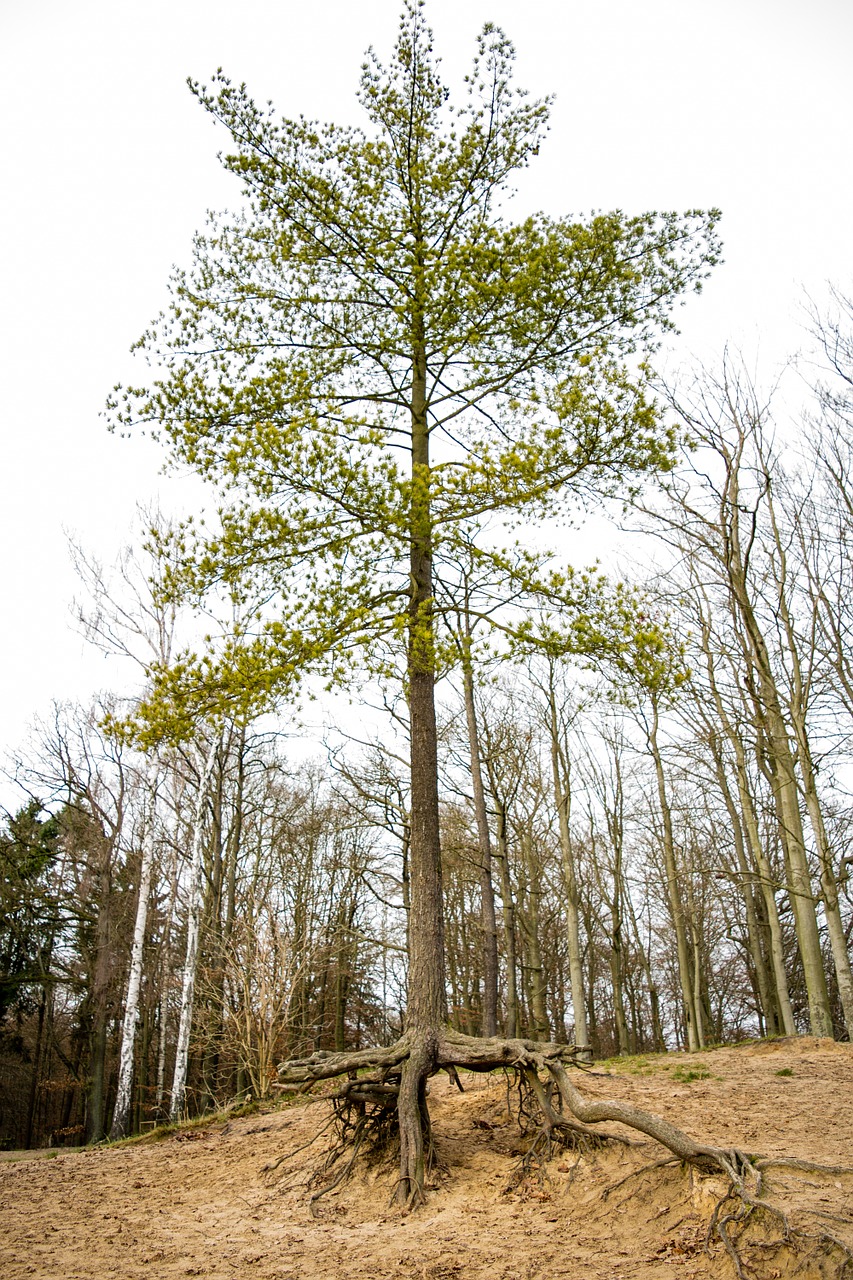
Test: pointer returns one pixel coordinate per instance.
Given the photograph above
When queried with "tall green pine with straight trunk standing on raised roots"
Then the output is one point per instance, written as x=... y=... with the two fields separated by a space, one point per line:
x=372 y=355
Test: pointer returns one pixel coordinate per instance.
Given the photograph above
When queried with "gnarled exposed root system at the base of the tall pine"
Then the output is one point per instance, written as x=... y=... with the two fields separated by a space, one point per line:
x=375 y=1113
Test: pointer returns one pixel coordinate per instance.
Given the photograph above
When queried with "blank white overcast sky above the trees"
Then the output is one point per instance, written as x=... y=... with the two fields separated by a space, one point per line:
x=110 y=166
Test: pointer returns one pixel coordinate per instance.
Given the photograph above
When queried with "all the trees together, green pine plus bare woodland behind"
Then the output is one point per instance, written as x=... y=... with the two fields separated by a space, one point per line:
x=565 y=807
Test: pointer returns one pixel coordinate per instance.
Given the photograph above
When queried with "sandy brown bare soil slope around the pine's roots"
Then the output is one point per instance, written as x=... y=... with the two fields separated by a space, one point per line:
x=199 y=1205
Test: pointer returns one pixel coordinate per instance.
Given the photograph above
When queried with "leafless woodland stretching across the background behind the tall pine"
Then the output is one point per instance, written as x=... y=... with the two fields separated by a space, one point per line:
x=642 y=851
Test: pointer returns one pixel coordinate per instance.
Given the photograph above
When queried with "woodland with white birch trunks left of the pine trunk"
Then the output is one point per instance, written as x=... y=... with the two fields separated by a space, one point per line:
x=261 y=881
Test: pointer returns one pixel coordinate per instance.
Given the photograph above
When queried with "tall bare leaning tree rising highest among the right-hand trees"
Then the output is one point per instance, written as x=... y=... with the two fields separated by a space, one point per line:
x=724 y=524
